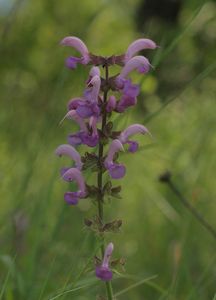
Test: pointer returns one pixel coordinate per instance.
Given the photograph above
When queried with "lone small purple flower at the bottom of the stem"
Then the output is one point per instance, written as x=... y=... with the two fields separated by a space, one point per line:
x=103 y=271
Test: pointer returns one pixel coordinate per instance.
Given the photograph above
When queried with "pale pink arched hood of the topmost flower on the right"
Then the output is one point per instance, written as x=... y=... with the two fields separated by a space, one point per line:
x=137 y=46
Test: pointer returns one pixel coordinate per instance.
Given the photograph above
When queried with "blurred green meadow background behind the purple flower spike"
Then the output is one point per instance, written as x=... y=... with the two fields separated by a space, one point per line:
x=44 y=248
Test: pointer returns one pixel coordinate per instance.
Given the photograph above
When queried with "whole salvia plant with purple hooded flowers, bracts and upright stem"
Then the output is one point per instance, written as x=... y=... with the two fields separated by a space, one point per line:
x=103 y=97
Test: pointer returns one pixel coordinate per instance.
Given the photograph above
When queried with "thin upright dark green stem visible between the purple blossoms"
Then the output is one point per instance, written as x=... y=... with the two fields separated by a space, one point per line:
x=108 y=284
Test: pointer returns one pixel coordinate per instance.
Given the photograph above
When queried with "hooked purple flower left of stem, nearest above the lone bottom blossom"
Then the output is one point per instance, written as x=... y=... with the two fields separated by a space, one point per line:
x=74 y=174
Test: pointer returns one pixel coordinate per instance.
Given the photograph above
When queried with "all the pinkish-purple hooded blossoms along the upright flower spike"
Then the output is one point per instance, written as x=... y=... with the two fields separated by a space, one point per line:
x=92 y=111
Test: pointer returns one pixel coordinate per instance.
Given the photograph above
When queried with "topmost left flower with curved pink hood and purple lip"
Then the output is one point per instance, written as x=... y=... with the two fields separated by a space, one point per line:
x=72 y=41
